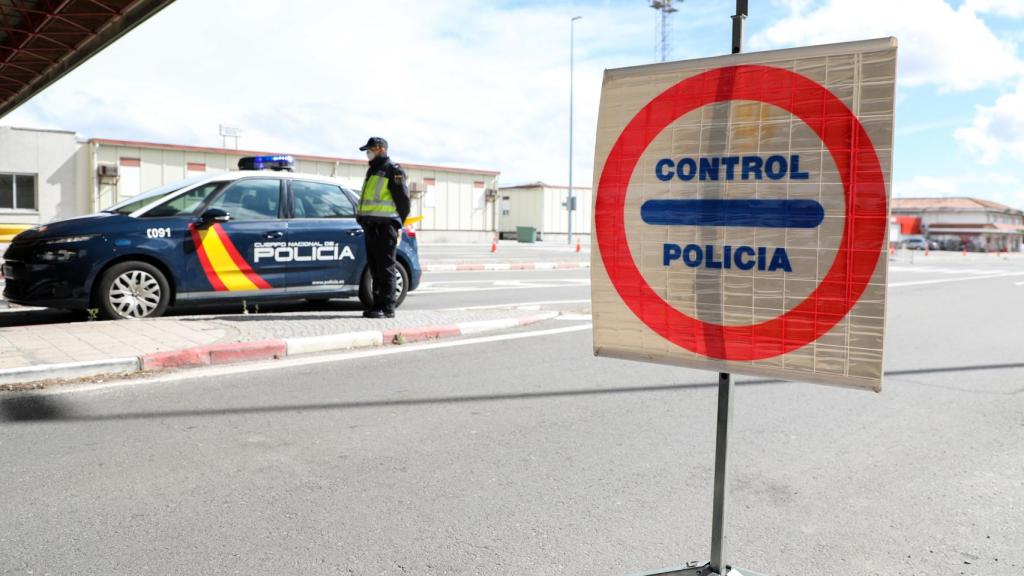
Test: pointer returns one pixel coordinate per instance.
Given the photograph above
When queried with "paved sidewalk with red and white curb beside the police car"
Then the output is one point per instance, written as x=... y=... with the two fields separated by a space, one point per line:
x=63 y=351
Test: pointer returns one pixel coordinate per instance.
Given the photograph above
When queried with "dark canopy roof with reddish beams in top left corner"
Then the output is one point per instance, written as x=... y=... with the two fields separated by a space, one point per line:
x=44 y=40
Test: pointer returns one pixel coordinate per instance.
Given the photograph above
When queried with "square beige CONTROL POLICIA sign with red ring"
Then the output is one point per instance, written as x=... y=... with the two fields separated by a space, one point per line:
x=742 y=213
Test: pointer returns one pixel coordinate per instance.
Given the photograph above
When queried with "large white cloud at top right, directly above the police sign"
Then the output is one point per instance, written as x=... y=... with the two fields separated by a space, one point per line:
x=952 y=49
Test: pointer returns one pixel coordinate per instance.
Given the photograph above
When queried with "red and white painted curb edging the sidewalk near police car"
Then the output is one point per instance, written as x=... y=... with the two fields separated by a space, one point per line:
x=263 y=350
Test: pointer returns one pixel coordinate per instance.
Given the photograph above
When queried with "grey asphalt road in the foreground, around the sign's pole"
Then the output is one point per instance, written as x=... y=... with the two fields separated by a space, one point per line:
x=531 y=457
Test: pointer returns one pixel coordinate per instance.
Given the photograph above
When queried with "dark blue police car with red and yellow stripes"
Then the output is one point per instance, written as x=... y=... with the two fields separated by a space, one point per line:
x=261 y=233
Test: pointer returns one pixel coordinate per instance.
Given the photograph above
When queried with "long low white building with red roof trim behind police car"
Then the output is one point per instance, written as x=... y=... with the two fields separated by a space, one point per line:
x=49 y=175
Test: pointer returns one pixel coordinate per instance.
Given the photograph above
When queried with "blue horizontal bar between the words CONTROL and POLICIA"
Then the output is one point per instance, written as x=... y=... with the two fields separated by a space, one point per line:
x=751 y=214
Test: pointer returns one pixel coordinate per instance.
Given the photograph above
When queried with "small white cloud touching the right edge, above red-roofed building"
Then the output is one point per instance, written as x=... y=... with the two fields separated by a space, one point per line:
x=998 y=131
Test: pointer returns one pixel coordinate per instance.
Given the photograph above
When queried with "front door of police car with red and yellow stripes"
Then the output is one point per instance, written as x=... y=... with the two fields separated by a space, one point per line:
x=243 y=257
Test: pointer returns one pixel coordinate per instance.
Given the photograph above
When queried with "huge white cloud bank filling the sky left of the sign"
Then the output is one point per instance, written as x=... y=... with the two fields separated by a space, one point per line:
x=459 y=83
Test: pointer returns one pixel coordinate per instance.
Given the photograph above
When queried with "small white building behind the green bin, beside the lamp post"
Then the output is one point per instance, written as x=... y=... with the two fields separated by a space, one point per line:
x=543 y=208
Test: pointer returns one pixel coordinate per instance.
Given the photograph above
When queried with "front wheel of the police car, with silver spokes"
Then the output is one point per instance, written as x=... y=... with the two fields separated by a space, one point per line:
x=132 y=291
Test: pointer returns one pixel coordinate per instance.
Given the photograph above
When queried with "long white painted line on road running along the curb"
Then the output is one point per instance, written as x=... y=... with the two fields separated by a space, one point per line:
x=286 y=363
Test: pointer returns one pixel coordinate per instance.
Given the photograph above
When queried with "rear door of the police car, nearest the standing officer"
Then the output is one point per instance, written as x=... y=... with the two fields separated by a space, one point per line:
x=327 y=241
